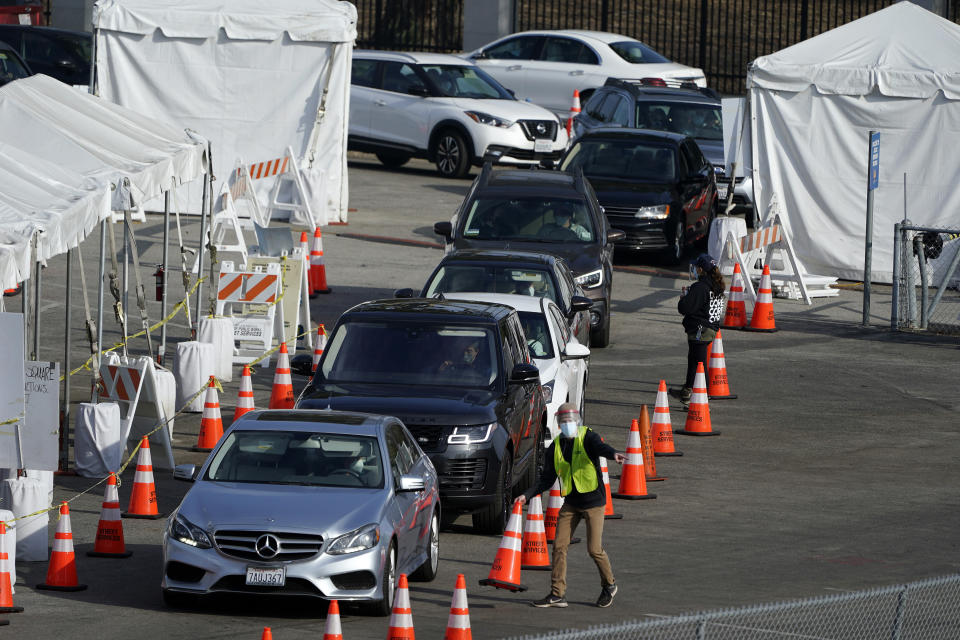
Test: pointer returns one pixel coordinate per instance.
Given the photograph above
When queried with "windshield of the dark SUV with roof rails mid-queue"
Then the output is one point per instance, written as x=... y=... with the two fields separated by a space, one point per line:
x=533 y=219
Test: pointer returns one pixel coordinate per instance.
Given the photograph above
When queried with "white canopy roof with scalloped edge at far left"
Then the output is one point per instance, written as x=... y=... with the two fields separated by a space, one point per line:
x=61 y=152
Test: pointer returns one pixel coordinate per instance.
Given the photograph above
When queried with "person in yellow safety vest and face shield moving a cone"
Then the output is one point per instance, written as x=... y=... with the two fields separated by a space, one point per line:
x=573 y=456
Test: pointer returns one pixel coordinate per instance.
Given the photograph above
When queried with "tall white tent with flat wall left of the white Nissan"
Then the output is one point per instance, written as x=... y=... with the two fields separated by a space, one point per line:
x=252 y=77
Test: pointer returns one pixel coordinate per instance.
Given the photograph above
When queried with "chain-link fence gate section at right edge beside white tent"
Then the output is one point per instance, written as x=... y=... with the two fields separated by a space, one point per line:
x=926 y=292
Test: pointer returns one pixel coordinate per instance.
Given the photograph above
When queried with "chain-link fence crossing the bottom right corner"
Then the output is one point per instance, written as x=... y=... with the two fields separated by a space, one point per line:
x=922 y=610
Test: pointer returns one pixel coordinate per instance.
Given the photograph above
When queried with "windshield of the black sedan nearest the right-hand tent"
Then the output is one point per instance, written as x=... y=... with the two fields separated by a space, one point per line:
x=631 y=159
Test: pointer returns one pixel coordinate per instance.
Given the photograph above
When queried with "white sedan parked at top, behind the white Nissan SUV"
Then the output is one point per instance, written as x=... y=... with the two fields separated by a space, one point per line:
x=547 y=66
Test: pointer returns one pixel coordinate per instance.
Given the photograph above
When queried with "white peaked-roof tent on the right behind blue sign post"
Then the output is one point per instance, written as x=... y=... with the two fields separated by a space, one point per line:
x=896 y=71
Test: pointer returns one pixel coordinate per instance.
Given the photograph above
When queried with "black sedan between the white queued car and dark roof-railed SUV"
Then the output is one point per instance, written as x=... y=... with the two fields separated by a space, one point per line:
x=525 y=272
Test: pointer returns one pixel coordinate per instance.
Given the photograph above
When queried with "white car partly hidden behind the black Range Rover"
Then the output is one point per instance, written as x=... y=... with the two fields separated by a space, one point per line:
x=559 y=356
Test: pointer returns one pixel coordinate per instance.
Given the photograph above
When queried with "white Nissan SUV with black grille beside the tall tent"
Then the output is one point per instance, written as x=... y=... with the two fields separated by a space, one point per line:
x=447 y=110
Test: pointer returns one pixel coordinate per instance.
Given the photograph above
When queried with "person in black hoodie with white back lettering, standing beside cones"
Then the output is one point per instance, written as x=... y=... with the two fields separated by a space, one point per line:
x=702 y=309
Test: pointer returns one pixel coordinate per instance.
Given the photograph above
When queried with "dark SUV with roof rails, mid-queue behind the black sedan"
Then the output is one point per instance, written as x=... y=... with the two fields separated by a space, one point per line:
x=546 y=211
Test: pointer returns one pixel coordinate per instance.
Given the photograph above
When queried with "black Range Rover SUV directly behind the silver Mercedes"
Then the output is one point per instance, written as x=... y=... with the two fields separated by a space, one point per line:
x=458 y=375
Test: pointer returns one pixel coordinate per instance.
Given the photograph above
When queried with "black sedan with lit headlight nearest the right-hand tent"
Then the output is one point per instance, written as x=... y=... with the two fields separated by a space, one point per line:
x=656 y=186
